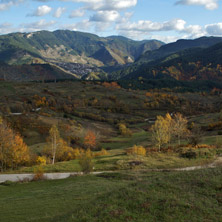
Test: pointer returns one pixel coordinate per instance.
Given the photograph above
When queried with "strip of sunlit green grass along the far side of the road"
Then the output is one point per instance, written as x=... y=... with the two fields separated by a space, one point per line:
x=118 y=160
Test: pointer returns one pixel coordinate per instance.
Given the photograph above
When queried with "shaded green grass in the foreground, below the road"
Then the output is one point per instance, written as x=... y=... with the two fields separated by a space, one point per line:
x=128 y=196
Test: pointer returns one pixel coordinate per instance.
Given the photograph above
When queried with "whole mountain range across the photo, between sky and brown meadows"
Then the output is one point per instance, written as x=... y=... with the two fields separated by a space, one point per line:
x=64 y=54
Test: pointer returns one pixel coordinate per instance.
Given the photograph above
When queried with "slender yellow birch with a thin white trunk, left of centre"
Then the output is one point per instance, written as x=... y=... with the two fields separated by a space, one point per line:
x=54 y=138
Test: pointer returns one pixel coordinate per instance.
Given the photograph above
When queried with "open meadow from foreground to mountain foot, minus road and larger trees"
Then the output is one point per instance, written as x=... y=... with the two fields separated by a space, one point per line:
x=130 y=188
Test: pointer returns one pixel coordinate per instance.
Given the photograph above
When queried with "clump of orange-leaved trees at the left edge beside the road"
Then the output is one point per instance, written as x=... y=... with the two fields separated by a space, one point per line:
x=13 y=151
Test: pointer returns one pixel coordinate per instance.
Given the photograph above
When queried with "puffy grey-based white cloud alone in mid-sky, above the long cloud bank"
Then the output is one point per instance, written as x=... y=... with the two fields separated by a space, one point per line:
x=105 y=16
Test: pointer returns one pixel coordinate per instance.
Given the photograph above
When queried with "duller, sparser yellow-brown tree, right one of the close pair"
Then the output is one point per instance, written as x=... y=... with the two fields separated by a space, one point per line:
x=179 y=126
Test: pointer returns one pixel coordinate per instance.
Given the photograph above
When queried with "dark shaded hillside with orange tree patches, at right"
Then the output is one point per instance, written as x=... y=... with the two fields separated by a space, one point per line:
x=185 y=65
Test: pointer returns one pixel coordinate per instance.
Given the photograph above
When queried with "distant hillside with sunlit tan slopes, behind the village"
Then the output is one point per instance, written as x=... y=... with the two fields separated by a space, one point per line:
x=71 y=47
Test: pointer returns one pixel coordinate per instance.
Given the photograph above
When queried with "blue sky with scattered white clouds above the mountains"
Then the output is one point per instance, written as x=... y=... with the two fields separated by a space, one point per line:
x=166 y=20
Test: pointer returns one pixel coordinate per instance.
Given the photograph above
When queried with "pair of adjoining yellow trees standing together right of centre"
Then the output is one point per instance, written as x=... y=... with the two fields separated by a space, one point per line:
x=166 y=128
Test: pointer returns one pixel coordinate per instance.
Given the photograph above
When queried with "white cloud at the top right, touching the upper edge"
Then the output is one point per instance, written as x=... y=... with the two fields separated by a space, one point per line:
x=208 y=4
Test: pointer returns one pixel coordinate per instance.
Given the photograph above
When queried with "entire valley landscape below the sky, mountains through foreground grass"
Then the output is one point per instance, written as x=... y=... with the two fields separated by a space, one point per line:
x=128 y=119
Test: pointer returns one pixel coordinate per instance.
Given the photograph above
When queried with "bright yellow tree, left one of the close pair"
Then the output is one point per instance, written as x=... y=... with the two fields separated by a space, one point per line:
x=160 y=132
